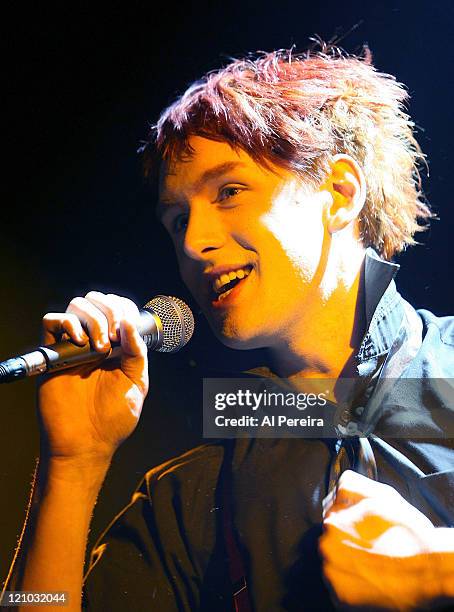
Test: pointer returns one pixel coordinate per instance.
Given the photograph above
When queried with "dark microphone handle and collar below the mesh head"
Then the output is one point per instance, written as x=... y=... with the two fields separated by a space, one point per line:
x=65 y=354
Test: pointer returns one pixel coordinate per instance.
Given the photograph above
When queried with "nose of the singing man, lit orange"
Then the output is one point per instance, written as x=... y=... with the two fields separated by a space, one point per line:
x=204 y=233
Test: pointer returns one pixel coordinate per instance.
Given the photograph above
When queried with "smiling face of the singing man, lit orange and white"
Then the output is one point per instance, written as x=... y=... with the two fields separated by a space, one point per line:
x=248 y=241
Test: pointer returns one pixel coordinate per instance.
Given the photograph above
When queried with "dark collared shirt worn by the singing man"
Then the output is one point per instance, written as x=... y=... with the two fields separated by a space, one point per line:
x=166 y=551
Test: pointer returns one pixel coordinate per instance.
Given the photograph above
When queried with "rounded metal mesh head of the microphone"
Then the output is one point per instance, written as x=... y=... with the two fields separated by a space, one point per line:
x=176 y=319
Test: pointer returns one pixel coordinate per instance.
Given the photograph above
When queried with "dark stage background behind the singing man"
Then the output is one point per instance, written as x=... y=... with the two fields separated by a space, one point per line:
x=79 y=89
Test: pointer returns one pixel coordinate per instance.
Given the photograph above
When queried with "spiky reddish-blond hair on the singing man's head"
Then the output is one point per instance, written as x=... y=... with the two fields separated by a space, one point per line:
x=297 y=110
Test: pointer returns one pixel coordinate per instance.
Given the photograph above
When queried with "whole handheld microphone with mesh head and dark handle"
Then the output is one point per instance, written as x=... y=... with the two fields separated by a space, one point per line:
x=166 y=325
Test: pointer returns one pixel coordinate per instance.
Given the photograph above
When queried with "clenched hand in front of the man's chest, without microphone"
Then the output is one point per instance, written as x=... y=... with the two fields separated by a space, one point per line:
x=380 y=552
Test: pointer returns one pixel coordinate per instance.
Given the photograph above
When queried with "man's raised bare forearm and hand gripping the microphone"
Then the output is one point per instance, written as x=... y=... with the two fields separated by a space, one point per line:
x=85 y=413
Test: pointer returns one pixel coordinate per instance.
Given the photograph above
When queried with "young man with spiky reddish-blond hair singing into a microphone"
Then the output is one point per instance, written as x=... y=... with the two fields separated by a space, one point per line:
x=287 y=184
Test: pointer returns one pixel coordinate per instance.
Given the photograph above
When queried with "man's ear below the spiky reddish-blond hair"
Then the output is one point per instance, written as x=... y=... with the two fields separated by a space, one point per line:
x=347 y=187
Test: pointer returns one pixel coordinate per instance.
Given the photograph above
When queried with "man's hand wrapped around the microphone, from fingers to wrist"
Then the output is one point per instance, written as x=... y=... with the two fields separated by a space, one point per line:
x=86 y=412
